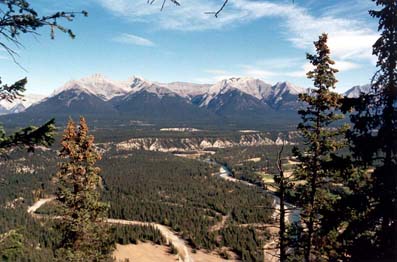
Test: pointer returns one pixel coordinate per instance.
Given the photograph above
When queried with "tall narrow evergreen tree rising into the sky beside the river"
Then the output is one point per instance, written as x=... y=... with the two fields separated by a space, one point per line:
x=321 y=141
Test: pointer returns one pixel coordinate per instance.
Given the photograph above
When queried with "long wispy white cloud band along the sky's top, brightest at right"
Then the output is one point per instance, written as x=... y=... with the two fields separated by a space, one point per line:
x=348 y=38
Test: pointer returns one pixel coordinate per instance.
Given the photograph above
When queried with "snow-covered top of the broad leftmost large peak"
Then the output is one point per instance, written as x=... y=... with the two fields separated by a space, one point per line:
x=98 y=85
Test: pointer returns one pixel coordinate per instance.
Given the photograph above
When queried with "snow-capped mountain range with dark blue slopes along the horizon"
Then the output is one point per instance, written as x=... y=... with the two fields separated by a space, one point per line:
x=245 y=102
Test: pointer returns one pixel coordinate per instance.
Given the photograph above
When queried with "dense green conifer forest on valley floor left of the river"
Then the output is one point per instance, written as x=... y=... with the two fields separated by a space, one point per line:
x=151 y=187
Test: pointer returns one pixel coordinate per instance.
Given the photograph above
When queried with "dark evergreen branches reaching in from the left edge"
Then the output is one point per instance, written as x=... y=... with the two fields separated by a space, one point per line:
x=18 y=17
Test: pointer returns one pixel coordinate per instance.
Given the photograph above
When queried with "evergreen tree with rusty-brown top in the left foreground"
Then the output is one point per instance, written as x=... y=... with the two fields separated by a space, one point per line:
x=83 y=215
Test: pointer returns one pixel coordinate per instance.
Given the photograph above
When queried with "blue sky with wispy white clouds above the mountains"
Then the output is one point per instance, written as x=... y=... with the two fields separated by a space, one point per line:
x=265 y=39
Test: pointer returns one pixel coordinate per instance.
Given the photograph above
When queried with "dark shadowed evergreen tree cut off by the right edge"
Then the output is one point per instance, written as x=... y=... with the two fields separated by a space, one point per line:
x=374 y=144
